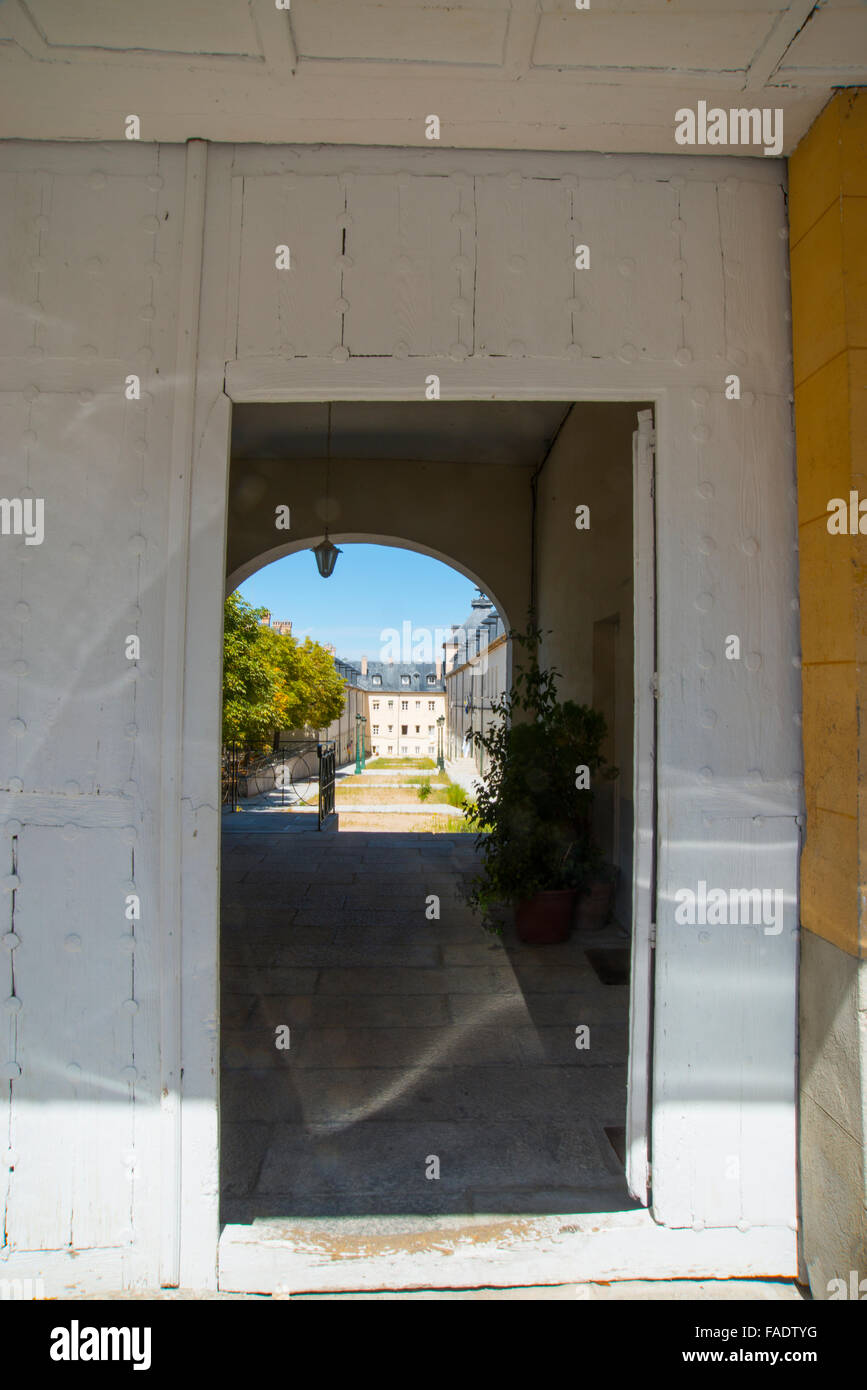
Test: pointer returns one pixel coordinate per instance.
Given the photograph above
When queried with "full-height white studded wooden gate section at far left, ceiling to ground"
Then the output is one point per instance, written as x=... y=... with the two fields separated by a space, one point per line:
x=88 y=287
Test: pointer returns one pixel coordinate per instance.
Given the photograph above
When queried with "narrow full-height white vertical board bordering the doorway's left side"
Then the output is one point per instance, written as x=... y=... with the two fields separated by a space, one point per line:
x=198 y=703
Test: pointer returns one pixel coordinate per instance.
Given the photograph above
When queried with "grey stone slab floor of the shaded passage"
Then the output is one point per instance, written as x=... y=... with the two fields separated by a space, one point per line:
x=409 y=1040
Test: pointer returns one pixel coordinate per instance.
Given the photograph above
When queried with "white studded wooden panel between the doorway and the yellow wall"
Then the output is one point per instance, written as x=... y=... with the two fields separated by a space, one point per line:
x=725 y=1001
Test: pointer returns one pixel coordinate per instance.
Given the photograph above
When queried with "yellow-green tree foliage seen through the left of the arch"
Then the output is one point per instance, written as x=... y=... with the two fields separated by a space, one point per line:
x=273 y=682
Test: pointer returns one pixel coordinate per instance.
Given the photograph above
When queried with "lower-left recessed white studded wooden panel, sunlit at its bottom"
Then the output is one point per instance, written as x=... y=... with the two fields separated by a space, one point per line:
x=72 y=1053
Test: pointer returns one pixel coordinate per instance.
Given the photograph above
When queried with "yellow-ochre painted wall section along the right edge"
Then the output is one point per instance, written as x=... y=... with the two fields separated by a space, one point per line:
x=829 y=256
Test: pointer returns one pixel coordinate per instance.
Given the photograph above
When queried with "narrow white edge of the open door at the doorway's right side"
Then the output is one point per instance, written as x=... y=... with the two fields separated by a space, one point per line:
x=644 y=864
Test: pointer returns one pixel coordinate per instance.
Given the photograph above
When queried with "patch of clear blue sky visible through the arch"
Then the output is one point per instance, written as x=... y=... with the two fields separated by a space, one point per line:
x=374 y=587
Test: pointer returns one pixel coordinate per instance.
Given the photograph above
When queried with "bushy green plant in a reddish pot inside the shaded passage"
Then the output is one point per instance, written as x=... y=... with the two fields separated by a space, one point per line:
x=534 y=803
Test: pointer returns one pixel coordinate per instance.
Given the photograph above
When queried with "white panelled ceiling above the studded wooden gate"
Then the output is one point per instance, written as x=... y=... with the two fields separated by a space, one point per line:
x=499 y=74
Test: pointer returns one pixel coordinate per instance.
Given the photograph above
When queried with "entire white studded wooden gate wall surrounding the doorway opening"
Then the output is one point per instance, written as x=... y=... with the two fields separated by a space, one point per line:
x=687 y=283
